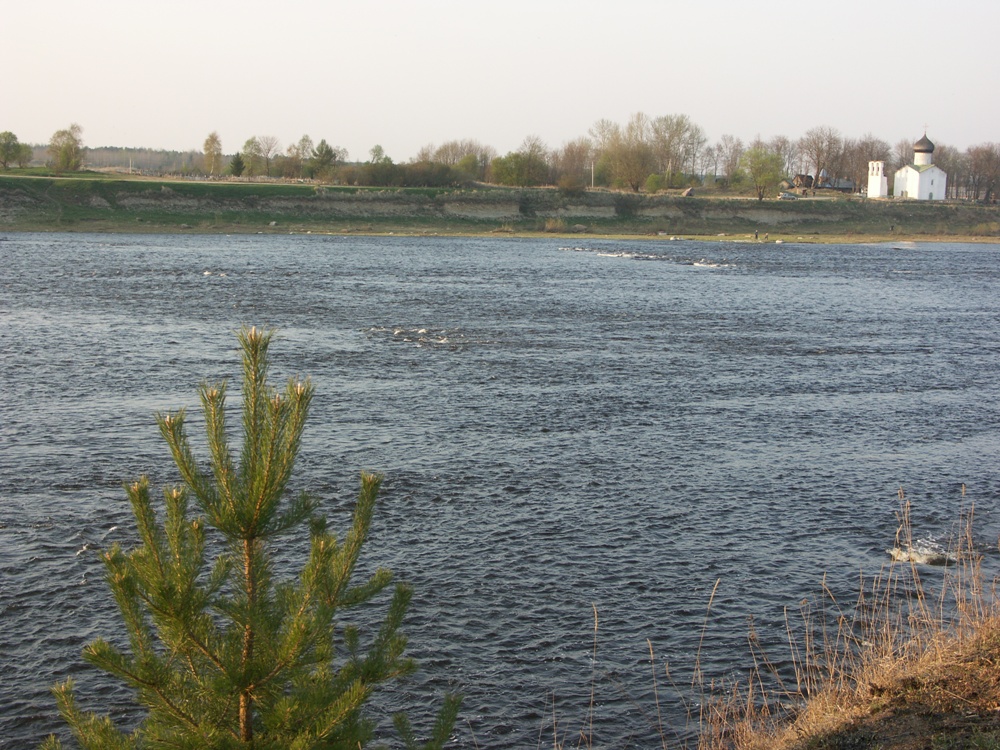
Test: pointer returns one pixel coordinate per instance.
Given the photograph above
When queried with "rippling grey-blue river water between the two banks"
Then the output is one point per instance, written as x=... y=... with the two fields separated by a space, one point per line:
x=611 y=425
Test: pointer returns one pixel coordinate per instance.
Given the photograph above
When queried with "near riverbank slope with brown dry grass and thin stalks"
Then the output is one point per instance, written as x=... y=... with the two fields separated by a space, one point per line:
x=906 y=666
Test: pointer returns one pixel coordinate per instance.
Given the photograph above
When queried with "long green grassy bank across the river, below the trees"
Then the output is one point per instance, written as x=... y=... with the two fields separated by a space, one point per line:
x=99 y=203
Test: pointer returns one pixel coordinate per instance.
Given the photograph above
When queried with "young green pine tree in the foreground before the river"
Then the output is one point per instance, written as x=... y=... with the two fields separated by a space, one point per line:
x=225 y=655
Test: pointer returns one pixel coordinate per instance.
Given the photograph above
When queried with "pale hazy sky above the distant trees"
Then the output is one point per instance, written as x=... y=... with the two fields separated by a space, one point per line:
x=405 y=73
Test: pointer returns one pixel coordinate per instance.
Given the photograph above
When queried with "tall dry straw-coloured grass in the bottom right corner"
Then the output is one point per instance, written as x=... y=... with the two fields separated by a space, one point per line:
x=907 y=668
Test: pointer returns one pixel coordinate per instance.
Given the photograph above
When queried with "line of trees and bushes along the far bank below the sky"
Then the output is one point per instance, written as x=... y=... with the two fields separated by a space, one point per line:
x=643 y=154
